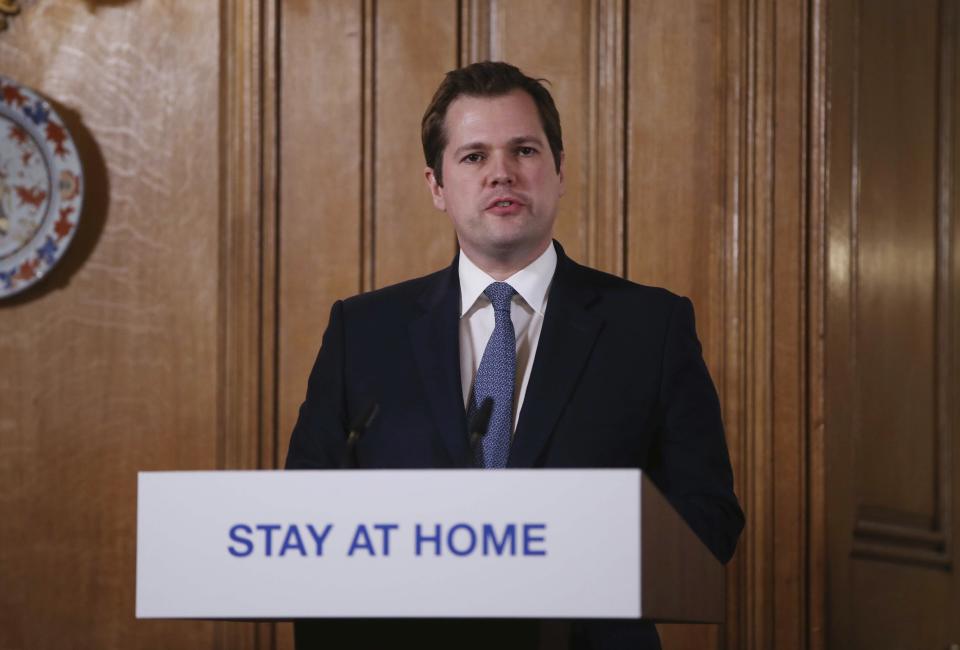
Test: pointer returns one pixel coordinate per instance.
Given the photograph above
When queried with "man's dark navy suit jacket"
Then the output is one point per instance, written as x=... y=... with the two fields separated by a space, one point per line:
x=618 y=381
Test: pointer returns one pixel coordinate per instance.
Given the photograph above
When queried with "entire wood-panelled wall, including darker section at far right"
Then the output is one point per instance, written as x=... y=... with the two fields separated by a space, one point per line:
x=250 y=161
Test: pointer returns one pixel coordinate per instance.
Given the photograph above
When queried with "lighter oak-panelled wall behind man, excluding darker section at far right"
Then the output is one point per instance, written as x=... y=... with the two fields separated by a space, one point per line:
x=239 y=184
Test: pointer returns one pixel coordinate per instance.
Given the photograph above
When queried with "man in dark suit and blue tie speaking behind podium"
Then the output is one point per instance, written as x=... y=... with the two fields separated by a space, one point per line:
x=582 y=369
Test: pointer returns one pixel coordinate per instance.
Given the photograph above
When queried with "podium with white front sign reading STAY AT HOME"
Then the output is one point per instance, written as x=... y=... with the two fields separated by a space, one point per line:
x=560 y=544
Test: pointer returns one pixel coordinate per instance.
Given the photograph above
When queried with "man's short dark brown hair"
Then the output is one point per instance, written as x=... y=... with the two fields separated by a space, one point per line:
x=485 y=79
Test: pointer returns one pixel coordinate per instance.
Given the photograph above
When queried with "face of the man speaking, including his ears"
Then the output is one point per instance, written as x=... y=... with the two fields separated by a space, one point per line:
x=500 y=183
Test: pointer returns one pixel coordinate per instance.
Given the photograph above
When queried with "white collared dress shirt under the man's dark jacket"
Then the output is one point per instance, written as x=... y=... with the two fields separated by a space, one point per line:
x=532 y=285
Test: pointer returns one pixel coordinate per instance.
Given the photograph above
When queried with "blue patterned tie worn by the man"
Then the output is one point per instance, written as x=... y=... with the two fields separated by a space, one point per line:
x=495 y=378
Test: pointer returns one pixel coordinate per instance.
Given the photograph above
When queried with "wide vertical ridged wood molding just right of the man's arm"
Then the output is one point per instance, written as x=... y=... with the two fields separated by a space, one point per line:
x=771 y=133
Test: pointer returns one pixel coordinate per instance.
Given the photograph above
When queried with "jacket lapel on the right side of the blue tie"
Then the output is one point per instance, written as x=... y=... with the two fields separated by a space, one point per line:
x=566 y=340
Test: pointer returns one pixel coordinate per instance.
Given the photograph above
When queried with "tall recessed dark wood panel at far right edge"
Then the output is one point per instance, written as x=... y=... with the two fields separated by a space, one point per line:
x=893 y=283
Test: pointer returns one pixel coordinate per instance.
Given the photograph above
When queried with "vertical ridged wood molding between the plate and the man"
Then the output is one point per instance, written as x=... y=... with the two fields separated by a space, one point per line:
x=247 y=435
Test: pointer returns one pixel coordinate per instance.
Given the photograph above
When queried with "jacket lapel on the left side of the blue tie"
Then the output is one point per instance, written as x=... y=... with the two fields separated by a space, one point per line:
x=436 y=347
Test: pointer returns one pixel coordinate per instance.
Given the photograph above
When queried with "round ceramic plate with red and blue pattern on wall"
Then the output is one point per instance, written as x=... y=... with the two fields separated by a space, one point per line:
x=41 y=188
